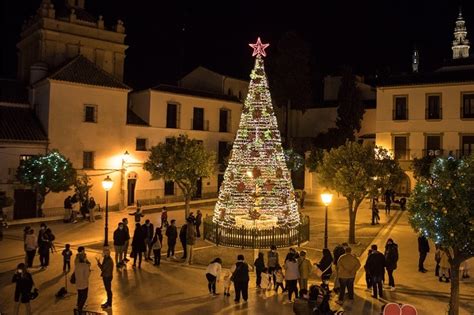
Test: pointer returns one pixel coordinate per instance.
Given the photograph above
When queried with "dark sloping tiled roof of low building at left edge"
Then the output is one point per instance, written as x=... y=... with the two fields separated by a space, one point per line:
x=20 y=124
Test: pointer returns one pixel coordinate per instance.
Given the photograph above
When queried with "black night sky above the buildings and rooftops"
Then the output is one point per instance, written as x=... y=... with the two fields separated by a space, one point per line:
x=368 y=35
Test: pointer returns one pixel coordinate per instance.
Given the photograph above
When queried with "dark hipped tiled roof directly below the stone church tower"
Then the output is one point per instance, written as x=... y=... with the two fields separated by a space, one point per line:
x=81 y=70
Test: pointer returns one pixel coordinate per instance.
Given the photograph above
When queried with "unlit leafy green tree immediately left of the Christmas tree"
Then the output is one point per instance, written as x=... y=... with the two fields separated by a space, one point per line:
x=183 y=161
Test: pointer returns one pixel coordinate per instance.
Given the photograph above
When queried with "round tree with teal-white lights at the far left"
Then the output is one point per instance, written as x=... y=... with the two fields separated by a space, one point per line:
x=52 y=172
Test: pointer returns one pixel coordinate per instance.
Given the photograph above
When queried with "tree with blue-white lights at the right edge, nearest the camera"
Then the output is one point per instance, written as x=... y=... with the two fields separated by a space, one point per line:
x=442 y=208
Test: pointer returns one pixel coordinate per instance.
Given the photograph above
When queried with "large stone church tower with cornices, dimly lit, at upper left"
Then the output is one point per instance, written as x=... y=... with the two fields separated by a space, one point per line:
x=55 y=35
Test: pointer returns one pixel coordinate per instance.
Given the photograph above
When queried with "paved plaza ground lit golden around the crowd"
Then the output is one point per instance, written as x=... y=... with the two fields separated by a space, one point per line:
x=177 y=289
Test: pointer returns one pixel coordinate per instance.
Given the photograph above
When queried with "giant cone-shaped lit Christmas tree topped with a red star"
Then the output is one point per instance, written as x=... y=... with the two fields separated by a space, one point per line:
x=257 y=191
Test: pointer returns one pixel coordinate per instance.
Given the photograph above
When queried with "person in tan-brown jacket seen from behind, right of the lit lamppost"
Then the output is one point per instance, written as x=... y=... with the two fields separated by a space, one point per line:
x=347 y=266
